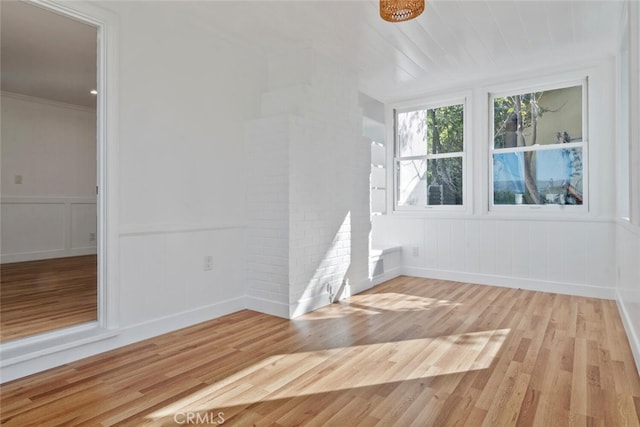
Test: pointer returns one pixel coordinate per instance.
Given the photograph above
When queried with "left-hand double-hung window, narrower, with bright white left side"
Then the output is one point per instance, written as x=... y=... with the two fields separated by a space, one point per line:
x=429 y=156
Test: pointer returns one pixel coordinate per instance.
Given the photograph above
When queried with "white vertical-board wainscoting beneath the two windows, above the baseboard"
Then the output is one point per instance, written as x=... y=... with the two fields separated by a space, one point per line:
x=571 y=256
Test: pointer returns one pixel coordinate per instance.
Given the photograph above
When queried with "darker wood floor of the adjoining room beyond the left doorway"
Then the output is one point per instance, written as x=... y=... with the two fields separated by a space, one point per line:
x=40 y=296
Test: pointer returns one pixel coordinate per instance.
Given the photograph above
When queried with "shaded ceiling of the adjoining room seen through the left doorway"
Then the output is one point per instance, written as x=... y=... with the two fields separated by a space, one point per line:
x=47 y=55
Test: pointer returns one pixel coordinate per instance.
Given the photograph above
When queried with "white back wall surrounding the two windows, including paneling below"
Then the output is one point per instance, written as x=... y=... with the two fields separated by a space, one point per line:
x=565 y=253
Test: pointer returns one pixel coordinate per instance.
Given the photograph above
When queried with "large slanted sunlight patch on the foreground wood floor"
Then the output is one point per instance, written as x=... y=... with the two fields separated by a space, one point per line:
x=304 y=373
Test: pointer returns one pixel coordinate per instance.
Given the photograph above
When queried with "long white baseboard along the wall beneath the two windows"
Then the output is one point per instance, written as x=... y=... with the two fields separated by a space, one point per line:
x=513 y=282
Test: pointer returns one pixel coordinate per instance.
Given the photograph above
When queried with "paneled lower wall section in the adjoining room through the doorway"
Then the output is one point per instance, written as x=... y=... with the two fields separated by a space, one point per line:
x=36 y=228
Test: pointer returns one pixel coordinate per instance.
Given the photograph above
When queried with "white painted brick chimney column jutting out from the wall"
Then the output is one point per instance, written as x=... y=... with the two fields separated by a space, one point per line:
x=308 y=197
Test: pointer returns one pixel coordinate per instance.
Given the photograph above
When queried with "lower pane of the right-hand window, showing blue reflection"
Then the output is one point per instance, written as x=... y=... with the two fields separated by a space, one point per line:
x=538 y=177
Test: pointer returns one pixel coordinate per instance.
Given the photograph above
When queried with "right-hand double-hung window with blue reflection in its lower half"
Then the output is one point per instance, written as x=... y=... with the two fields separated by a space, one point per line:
x=539 y=147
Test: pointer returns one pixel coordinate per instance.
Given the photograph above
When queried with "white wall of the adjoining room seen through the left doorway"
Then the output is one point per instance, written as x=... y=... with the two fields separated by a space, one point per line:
x=51 y=146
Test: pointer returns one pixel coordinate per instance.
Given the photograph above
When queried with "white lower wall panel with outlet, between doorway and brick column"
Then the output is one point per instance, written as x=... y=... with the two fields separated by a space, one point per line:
x=165 y=267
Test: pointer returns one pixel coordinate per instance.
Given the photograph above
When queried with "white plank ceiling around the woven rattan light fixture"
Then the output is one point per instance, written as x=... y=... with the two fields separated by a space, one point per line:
x=453 y=41
